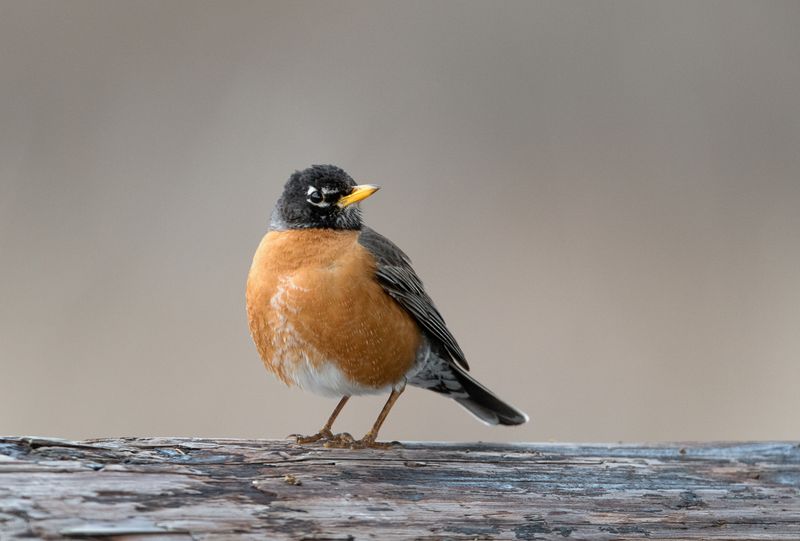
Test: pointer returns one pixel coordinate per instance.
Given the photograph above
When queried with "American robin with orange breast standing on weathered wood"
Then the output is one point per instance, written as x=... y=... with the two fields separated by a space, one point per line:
x=336 y=308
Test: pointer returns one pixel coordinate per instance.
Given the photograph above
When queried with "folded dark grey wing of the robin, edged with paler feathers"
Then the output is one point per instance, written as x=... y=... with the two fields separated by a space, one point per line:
x=398 y=279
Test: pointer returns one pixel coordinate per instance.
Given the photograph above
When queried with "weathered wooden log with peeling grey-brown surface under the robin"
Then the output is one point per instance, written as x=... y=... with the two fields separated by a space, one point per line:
x=163 y=488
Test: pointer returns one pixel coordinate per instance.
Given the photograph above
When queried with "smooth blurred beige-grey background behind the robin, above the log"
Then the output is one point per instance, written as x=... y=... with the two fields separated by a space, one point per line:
x=602 y=197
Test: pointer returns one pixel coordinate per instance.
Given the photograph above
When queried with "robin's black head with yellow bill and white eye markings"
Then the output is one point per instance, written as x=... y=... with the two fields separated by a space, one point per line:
x=322 y=196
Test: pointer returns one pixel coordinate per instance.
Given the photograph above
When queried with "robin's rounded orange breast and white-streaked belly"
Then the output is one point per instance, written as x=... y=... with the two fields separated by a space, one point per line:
x=312 y=301
